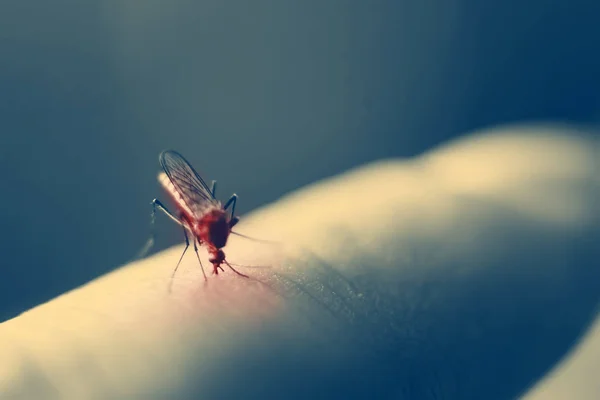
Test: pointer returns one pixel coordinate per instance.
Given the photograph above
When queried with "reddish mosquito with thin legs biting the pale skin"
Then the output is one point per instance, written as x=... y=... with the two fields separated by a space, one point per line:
x=199 y=213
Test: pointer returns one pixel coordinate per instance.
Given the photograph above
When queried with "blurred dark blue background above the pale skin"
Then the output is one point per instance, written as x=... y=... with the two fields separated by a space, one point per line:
x=264 y=96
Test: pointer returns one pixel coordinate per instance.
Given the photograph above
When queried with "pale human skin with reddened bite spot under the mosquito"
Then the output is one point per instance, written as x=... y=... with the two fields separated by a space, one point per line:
x=468 y=272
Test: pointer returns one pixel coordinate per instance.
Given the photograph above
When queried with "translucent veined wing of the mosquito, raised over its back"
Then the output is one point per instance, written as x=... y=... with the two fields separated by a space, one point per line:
x=189 y=184
